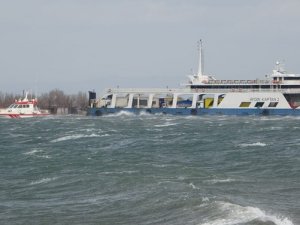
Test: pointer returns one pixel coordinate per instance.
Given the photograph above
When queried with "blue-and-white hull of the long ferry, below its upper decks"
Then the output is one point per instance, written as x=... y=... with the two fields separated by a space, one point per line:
x=199 y=103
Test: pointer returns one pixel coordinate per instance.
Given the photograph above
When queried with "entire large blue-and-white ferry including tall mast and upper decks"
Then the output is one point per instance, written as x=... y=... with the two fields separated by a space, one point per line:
x=275 y=94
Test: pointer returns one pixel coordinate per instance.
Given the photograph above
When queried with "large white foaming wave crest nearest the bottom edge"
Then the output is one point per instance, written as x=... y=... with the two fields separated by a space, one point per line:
x=235 y=214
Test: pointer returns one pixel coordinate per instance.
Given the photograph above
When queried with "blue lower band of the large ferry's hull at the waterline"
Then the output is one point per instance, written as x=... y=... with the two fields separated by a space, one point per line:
x=185 y=111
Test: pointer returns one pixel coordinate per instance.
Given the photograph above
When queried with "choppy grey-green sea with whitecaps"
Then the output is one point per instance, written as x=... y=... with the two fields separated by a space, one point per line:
x=144 y=169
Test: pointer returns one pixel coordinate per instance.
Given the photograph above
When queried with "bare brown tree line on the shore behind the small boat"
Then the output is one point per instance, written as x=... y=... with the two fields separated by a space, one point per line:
x=53 y=99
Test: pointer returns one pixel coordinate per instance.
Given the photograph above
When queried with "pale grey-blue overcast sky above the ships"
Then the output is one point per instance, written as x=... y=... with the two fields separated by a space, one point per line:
x=82 y=45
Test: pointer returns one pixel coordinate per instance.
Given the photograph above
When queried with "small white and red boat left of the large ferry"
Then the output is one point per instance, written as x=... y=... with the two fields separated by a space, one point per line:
x=23 y=108
